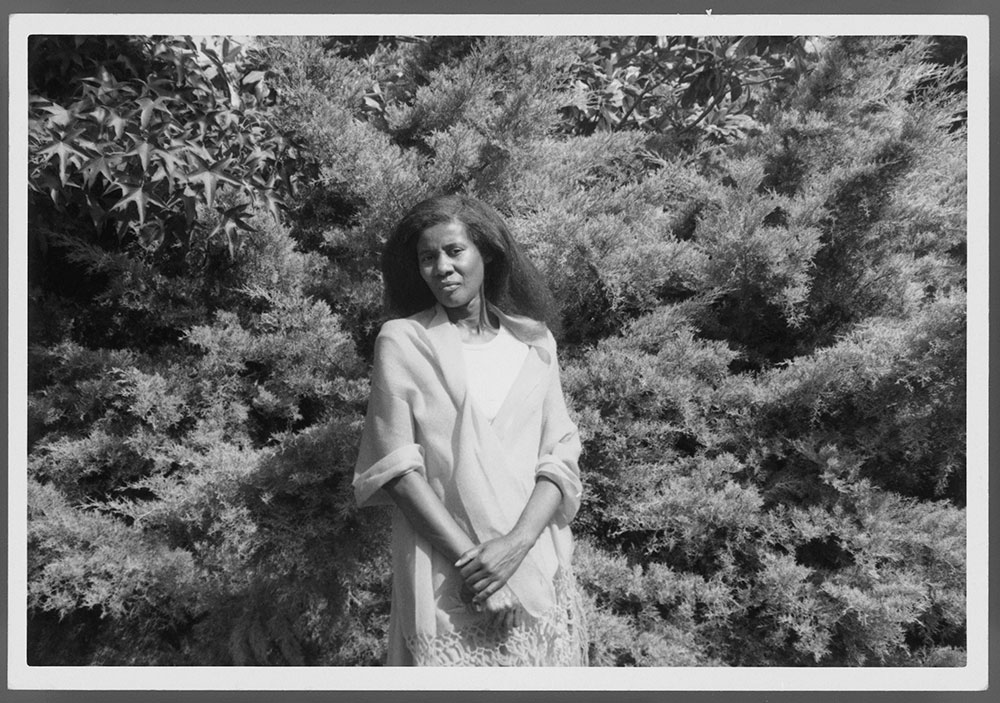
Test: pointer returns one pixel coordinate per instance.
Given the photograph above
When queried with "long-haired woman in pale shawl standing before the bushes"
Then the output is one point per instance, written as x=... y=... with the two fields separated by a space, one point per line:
x=467 y=434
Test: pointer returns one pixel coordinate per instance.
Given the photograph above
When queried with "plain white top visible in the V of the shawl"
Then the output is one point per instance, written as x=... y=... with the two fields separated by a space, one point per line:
x=490 y=369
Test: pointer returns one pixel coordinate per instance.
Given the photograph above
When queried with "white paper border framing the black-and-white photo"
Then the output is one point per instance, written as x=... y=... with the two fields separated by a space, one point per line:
x=971 y=677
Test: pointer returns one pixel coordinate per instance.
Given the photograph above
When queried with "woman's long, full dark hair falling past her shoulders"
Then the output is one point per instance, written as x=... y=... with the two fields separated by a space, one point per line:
x=512 y=283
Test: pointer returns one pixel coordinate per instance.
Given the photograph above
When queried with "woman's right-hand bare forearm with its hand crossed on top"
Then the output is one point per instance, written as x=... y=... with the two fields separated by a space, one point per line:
x=487 y=567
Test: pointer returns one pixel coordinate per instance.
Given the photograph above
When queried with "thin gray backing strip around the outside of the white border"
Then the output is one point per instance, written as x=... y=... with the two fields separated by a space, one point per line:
x=986 y=8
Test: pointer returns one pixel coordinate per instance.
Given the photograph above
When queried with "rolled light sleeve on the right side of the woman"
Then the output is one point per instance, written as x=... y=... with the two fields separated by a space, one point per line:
x=560 y=449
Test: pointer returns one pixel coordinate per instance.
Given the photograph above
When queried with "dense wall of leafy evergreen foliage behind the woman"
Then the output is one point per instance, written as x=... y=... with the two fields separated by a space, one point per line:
x=758 y=246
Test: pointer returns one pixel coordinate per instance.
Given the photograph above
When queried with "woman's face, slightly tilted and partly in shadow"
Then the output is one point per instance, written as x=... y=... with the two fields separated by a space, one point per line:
x=451 y=265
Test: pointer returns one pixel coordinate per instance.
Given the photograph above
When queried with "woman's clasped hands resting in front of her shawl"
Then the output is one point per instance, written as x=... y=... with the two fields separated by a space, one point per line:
x=485 y=570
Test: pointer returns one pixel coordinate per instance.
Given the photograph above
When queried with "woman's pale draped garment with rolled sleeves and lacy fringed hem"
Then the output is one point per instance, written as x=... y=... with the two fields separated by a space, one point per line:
x=421 y=417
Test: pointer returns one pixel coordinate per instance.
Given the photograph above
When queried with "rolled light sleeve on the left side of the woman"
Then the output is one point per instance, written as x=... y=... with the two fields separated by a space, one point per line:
x=388 y=449
